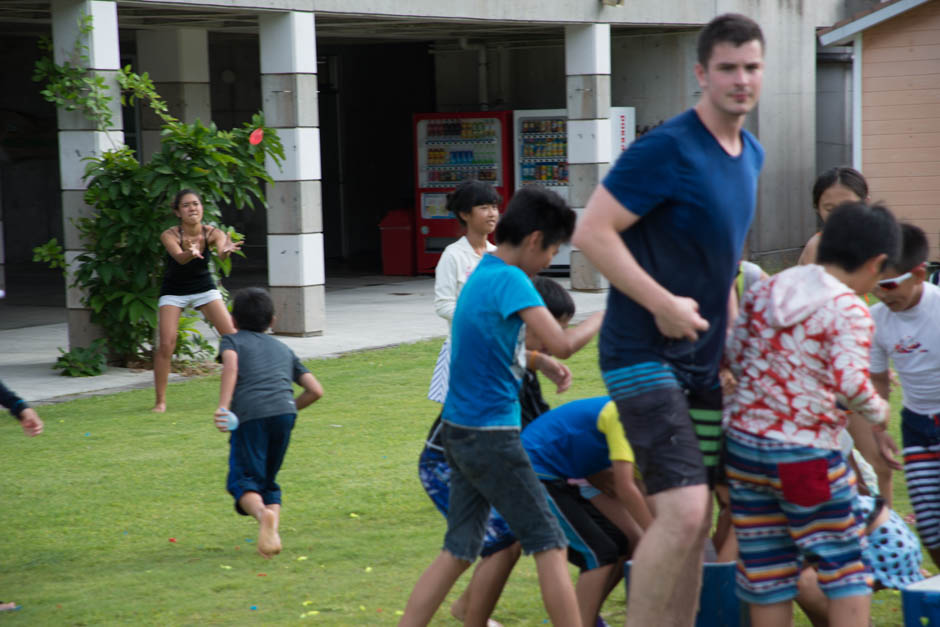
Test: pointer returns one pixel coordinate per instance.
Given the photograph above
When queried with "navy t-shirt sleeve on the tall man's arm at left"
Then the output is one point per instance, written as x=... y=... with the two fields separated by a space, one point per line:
x=645 y=173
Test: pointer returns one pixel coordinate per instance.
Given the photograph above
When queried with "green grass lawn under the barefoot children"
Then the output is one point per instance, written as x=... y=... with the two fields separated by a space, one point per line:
x=116 y=515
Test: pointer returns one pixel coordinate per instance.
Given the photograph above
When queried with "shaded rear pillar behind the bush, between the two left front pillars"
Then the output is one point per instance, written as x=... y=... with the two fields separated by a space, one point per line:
x=178 y=64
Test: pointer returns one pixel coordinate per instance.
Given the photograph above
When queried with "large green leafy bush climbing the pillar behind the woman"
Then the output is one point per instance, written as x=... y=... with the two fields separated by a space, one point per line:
x=122 y=267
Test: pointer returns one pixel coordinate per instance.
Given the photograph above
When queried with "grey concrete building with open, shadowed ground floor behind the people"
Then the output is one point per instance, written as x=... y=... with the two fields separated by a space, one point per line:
x=341 y=79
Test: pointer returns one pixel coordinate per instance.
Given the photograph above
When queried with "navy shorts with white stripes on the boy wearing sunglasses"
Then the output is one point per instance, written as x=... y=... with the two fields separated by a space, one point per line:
x=920 y=435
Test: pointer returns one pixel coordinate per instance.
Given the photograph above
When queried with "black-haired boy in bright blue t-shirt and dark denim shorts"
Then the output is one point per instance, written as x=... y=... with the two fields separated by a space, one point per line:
x=481 y=414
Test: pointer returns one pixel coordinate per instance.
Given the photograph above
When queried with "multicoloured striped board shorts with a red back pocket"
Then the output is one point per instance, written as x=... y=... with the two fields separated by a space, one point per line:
x=791 y=504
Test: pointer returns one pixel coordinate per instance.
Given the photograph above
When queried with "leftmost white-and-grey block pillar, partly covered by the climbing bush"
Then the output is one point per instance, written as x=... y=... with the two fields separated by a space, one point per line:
x=79 y=137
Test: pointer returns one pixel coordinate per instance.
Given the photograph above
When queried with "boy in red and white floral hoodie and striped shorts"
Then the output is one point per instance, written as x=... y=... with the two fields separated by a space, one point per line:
x=800 y=346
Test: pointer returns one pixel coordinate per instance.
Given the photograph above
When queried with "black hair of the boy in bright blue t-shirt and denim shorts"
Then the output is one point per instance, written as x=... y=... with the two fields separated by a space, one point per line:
x=534 y=208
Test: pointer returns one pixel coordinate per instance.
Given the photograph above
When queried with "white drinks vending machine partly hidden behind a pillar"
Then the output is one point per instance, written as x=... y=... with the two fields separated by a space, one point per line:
x=540 y=151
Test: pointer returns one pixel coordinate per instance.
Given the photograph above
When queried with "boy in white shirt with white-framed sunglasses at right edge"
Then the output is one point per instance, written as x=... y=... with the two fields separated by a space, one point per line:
x=907 y=333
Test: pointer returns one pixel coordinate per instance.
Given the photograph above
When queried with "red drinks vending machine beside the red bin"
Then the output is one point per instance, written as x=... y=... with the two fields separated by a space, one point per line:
x=450 y=148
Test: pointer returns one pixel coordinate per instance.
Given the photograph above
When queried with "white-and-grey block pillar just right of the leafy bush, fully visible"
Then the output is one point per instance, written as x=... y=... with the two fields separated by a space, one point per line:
x=295 y=223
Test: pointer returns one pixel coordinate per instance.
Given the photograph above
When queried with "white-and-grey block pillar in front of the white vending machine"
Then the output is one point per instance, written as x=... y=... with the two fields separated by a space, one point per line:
x=587 y=66
